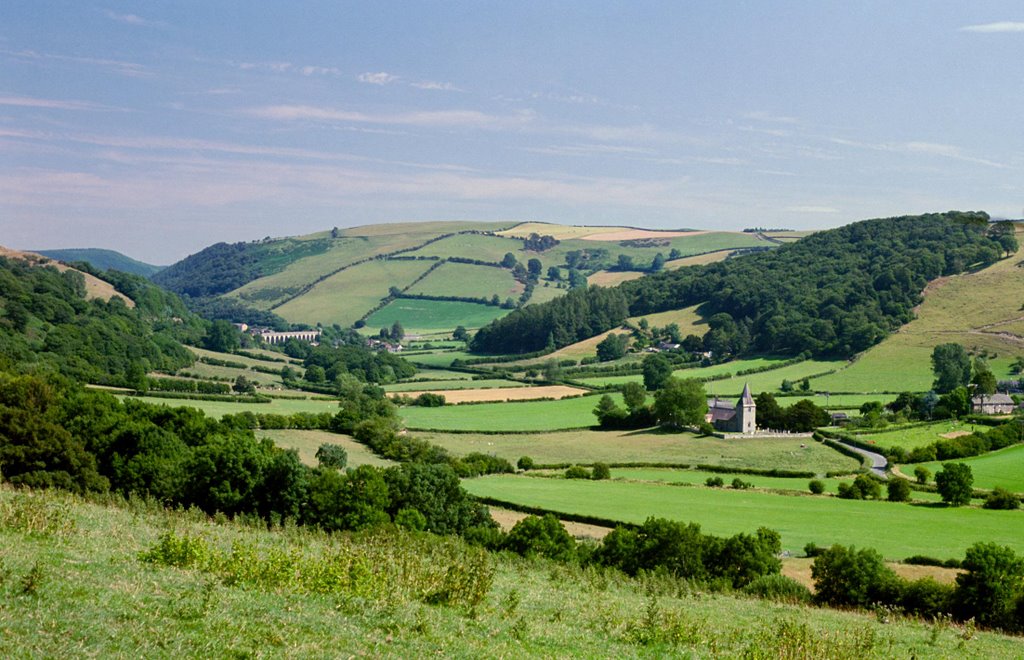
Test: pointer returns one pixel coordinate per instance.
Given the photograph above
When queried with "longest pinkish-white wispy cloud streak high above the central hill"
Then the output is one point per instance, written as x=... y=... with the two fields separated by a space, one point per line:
x=426 y=118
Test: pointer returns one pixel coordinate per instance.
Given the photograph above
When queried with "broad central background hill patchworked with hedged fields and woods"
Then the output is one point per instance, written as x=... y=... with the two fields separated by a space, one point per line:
x=376 y=275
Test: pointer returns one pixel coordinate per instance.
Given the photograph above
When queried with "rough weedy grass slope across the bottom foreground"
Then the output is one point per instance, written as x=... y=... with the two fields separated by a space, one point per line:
x=77 y=589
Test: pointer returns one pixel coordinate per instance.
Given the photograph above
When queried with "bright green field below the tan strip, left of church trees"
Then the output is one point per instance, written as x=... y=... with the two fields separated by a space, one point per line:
x=526 y=416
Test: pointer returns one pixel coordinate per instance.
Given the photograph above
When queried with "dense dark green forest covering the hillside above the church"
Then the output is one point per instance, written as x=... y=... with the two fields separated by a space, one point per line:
x=833 y=294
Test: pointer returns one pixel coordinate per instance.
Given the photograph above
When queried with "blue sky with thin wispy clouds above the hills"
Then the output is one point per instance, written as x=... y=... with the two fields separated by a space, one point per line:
x=160 y=128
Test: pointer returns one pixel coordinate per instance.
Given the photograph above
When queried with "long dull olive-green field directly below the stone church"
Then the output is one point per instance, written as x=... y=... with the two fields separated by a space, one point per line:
x=587 y=447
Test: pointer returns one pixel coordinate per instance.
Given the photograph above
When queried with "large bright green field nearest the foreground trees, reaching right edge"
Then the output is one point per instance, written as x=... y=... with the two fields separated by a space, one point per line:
x=897 y=531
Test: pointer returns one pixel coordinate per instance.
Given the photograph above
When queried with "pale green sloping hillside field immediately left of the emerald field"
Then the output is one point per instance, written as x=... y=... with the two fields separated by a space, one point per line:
x=346 y=297
